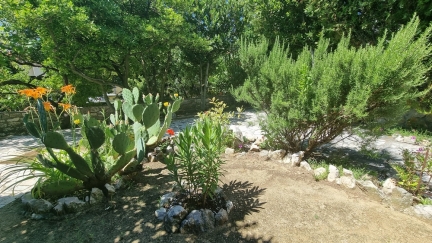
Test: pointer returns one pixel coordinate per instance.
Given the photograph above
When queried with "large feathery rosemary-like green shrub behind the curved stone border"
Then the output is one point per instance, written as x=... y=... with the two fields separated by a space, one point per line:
x=311 y=100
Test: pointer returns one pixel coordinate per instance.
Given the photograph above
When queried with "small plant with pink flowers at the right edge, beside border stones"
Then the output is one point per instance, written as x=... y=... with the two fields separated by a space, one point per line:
x=415 y=166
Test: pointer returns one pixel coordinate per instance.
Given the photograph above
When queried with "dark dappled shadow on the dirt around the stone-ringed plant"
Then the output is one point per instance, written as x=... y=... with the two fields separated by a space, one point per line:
x=129 y=216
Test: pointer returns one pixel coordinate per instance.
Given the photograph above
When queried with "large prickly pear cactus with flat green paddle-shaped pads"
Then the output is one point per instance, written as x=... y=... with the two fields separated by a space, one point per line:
x=91 y=164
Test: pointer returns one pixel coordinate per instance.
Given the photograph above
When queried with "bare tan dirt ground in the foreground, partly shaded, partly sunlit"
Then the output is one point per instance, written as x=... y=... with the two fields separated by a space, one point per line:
x=273 y=203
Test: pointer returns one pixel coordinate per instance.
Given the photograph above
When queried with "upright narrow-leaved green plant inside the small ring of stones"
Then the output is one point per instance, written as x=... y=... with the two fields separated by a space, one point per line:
x=196 y=166
